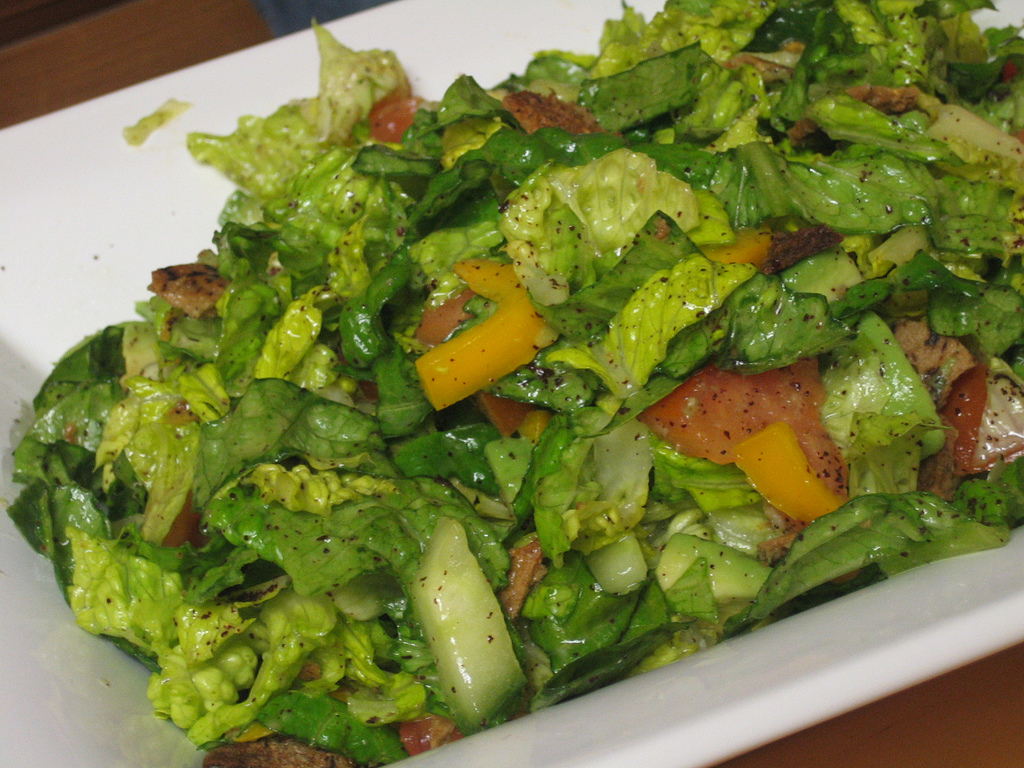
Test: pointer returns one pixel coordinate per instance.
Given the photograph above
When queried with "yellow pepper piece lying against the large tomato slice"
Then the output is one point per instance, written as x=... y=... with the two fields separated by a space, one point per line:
x=777 y=466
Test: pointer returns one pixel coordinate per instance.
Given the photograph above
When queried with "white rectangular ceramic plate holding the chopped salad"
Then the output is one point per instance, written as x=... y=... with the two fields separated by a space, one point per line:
x=83 y=221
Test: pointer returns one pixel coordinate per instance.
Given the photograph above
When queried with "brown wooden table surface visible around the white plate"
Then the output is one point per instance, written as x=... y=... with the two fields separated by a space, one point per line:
x=969 y=718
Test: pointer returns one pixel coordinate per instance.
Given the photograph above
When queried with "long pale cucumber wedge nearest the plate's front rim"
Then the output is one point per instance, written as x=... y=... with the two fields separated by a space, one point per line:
x=465 y=629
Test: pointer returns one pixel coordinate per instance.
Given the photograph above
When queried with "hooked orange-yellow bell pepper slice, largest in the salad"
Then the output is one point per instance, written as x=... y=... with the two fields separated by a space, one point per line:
x=479 y=357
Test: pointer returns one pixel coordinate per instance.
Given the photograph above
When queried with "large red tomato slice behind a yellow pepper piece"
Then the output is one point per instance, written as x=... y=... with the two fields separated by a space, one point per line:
x=714 y=411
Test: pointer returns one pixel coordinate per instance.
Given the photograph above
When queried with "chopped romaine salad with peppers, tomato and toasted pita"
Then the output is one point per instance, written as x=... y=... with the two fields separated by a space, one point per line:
x=477 y=406
